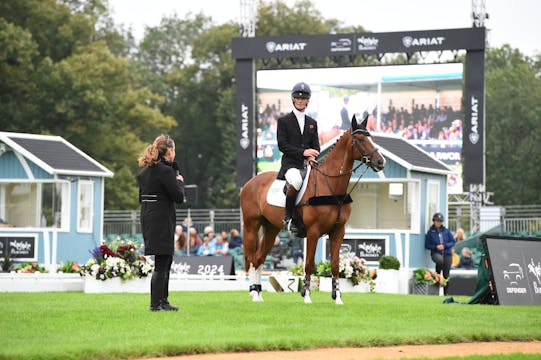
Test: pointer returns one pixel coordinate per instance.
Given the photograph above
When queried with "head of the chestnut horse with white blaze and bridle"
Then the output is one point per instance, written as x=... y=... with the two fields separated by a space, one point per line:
x=363 y=148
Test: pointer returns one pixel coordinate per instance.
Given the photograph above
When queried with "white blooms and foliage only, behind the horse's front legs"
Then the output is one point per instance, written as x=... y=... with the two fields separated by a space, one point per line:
x=352 y=268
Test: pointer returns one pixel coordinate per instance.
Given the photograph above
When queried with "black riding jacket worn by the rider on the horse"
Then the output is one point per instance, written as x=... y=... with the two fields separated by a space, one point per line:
x=292 y=143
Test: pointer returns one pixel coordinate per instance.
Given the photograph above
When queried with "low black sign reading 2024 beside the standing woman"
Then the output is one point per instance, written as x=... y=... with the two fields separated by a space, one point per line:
x=203 y=265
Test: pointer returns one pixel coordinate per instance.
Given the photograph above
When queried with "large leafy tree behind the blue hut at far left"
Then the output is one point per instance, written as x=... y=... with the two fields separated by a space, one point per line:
x=60 y=76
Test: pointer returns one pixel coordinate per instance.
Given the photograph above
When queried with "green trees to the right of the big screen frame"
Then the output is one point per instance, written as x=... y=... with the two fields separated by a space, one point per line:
x=513 y=131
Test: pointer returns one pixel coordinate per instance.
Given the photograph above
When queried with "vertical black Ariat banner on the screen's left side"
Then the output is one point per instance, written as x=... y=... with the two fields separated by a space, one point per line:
x=244 y=73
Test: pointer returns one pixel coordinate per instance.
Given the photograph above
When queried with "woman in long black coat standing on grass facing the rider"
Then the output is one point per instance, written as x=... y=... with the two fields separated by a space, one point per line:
x=159 y=188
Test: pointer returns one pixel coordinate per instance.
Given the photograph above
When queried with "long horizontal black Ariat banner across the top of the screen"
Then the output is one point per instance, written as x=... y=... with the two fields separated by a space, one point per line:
x=358 y=43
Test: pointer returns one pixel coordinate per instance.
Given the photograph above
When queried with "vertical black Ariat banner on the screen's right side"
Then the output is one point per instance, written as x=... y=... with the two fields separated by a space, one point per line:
x=473 y=146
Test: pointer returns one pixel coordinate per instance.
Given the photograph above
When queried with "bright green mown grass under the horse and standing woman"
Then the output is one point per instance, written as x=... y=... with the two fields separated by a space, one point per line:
x=113 y=326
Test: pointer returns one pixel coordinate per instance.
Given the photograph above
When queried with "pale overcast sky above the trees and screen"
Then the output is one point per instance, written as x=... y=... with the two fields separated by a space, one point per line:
x=515 y=22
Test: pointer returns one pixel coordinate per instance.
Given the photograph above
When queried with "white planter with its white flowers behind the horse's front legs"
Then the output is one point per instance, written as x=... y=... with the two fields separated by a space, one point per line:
x=354 y=274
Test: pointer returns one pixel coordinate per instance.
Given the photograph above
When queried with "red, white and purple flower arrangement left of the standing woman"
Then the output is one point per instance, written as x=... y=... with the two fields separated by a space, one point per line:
x=125 y=263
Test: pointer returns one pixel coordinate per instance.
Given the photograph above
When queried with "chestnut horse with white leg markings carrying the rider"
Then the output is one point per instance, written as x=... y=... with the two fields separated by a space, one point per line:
x=329 y=178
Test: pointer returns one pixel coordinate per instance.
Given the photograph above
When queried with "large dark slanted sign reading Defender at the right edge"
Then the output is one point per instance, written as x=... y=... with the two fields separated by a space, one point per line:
x=516 y=269
